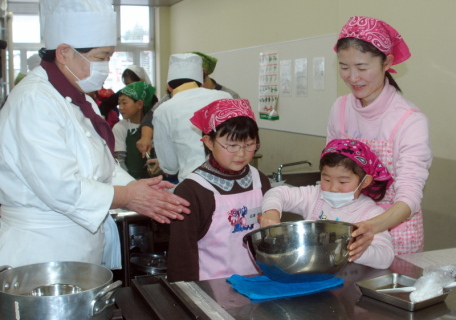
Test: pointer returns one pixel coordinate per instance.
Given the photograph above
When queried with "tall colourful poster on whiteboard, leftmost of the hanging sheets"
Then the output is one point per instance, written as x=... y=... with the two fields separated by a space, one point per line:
x=268 y=85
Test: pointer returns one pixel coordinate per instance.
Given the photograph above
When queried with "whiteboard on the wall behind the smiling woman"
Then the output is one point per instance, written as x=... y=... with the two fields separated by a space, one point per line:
x=239 y=71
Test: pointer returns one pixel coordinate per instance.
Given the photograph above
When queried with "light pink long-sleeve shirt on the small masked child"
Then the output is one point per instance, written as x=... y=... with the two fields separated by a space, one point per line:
x=303 y=201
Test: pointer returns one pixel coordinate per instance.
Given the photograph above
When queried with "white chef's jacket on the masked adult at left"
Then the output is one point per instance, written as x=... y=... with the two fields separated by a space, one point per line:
x=56 y=178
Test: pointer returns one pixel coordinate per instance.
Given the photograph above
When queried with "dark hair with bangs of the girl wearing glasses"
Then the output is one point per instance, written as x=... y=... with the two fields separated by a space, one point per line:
x=237 y=129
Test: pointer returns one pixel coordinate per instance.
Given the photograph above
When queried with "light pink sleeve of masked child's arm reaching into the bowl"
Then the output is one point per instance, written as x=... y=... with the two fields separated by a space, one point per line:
x=299 y=200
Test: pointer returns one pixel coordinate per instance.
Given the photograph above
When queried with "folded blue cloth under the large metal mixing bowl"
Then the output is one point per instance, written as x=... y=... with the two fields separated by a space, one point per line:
x=261 y=287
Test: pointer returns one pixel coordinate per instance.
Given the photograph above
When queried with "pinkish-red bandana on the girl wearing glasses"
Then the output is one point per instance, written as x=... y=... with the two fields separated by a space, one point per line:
x=209 y=117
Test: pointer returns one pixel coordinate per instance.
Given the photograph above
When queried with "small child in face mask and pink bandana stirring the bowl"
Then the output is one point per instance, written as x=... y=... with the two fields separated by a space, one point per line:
x=352 y=180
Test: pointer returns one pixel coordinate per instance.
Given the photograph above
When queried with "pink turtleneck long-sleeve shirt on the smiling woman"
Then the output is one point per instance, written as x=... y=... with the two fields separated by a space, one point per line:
x=412 y=155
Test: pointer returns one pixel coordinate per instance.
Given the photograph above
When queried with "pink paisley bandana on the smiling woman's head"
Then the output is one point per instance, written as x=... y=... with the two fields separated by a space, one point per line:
x=380 y=34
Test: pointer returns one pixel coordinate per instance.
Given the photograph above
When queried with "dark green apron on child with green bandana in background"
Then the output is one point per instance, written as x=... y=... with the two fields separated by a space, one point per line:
x=134 y=161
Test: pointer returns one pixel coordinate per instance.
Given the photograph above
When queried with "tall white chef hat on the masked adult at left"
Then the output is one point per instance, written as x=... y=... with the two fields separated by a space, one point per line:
x=78 y=23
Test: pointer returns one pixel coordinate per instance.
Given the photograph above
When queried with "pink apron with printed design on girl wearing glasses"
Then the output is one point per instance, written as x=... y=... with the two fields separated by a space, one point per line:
x=221 y=251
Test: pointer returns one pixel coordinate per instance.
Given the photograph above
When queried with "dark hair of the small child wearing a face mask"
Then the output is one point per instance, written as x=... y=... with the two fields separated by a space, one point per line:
x=375 y=190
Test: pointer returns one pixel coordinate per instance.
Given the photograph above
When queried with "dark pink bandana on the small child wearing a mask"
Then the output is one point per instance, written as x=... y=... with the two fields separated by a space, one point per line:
x=363 y=156
